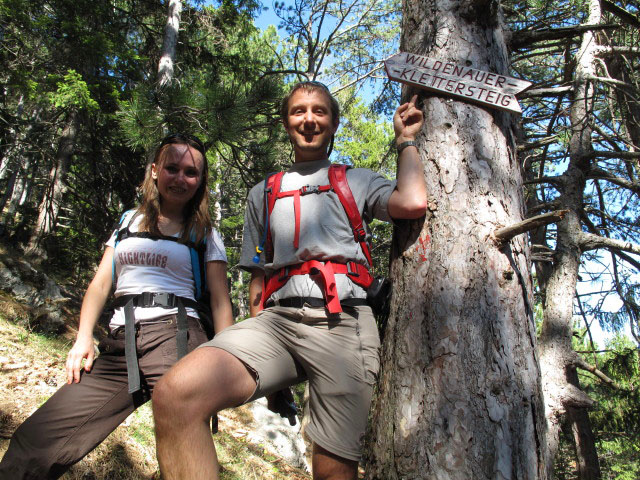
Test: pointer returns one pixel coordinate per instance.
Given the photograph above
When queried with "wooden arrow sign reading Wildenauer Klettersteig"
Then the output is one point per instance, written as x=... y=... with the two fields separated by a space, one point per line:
x=491 y=89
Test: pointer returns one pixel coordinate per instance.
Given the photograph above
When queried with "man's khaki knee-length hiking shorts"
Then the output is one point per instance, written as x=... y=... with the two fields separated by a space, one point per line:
x=338 y=354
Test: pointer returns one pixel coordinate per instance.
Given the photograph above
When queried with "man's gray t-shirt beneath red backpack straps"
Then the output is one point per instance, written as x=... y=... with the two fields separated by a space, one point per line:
x=325 y=232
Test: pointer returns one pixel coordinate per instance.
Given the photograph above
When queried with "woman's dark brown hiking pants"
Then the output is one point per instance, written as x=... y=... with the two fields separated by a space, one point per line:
x=81 y=415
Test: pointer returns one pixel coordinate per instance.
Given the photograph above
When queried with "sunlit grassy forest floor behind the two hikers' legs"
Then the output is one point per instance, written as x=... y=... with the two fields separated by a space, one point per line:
x=32 y=369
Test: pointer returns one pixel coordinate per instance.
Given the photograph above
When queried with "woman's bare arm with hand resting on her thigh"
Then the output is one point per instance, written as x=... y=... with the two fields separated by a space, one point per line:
x=92 y=305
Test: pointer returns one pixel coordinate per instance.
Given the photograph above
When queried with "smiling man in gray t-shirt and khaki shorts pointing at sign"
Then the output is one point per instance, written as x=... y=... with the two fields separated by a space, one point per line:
x=304 y=331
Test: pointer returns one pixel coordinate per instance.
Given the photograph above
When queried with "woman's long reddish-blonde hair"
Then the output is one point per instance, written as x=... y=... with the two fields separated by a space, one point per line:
x=196 y=218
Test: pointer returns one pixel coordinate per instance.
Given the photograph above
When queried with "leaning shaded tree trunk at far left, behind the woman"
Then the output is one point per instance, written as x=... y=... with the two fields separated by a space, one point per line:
x=48 y=210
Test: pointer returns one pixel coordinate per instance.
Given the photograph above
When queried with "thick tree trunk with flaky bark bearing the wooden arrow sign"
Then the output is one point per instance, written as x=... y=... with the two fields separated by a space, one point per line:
x=459 y=394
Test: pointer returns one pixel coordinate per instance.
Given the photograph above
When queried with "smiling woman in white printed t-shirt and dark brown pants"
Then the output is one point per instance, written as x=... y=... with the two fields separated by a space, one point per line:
x=155 y=281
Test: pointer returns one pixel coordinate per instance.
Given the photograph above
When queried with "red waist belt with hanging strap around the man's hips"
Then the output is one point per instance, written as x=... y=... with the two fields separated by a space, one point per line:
x=357 y=272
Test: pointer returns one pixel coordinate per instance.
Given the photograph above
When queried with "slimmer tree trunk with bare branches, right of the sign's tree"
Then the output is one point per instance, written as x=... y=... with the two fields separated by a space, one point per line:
x=560 y=381
